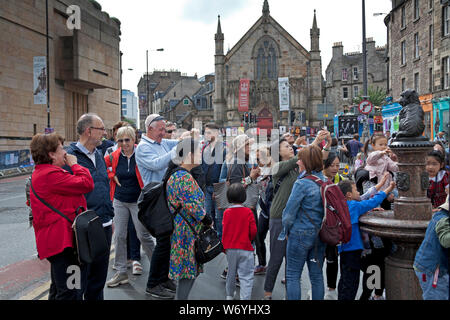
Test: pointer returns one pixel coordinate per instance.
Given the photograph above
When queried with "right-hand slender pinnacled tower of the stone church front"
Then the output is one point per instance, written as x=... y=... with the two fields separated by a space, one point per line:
x=315 y=72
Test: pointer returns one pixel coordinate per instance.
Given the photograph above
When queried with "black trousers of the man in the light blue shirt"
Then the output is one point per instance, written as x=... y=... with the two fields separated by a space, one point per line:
x=160 y=263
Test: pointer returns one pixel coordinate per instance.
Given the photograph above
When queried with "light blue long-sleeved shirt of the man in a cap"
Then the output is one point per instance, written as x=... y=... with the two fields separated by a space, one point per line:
x=153 y=158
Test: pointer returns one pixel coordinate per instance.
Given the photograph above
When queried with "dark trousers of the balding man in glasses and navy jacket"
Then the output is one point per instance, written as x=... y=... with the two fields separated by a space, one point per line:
x=94 y=274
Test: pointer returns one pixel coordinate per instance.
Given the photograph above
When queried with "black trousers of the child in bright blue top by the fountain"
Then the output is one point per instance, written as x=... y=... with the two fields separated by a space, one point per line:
x=350 y=265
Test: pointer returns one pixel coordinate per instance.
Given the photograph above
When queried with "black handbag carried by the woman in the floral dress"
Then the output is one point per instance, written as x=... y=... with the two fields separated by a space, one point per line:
x=207 y=243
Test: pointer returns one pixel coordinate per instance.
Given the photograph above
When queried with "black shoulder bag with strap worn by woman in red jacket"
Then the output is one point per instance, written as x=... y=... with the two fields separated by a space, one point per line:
x=90 y=237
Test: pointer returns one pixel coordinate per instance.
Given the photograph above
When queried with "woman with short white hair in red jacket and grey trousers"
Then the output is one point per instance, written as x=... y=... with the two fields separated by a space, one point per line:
x=125 y=185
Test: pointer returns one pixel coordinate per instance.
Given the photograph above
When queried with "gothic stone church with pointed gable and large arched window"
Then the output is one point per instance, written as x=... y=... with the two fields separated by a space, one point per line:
x=265 y=53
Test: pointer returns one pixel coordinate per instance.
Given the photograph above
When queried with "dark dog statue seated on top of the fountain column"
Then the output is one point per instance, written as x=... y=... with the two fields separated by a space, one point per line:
x=411 y=117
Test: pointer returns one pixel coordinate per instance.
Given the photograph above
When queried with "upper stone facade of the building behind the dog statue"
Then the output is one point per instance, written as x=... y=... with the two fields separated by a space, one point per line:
x=427 y=70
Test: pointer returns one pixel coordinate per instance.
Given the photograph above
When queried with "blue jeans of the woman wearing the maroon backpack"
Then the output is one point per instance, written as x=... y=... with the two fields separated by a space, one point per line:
x=304 y=247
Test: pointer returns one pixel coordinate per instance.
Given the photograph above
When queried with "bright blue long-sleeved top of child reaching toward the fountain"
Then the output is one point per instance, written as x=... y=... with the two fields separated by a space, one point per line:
x=357 y=209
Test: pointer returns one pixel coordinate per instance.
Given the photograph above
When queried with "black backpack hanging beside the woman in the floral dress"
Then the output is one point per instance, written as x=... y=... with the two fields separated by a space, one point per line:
x=154 y=212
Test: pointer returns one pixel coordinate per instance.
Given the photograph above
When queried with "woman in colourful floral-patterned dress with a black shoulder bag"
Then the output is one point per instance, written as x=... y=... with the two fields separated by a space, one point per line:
x=186 y=202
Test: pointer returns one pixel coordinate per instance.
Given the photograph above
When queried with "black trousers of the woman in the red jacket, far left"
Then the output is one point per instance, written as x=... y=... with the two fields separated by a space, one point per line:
x=58 y=273
